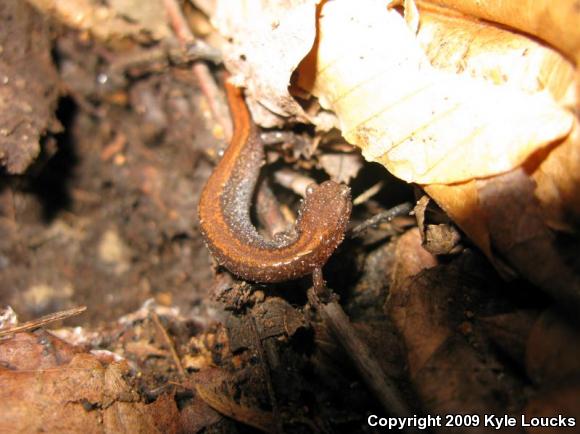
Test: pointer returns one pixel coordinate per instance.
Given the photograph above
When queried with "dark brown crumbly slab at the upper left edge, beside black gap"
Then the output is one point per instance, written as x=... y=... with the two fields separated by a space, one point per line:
x=28 y=85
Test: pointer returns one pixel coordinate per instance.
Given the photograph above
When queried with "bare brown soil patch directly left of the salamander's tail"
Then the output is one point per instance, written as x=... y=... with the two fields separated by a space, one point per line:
x=109 y=220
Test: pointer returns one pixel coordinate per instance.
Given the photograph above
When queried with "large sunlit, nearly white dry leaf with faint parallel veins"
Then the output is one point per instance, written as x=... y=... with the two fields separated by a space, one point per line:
x=424 y=125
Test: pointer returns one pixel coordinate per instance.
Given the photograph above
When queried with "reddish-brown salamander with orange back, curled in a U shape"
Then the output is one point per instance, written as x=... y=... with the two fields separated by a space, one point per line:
x=224 y=212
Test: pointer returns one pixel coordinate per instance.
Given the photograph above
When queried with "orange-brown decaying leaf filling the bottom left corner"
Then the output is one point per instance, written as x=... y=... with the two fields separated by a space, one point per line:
x=63 y=390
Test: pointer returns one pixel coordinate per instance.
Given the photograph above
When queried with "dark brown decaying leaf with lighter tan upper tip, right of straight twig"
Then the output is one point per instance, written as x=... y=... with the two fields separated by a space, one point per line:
x=432 y=309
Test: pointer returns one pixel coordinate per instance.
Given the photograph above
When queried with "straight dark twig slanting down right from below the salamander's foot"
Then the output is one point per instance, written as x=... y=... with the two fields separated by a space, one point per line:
x=367 y=365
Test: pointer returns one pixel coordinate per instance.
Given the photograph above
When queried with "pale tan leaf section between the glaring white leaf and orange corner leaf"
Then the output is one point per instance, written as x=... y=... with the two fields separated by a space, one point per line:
x=460 y=44
